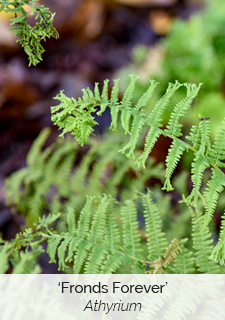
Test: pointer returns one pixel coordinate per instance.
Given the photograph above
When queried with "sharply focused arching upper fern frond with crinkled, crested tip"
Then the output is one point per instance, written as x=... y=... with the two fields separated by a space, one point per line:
x=77 y=117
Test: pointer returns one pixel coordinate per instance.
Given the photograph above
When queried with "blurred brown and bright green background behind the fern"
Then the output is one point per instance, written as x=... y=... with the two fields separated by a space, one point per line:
x=161 y=39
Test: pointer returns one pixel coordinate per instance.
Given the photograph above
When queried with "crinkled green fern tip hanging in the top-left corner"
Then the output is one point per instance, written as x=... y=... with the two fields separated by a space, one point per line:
x=30 y=37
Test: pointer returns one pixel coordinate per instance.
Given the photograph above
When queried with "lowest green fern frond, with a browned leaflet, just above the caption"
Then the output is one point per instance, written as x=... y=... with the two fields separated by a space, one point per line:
x=95 y=243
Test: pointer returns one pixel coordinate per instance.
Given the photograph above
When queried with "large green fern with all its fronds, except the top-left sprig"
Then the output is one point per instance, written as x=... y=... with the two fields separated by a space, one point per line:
x=107 y=238
